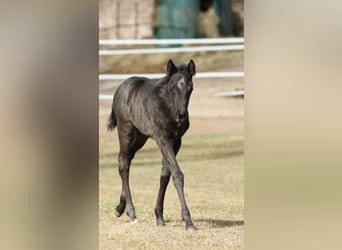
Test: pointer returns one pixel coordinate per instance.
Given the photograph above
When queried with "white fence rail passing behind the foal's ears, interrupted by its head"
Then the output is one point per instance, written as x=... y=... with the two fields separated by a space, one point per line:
x=155 y=76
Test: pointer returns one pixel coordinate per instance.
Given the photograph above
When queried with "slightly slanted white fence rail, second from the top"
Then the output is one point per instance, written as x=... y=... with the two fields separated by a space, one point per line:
x=170 y=50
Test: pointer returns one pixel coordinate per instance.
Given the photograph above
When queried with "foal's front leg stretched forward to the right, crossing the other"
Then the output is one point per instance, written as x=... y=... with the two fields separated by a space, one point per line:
x=167 y=150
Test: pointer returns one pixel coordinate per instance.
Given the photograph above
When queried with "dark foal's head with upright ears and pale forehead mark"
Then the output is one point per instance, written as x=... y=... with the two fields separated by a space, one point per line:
x=180 y=84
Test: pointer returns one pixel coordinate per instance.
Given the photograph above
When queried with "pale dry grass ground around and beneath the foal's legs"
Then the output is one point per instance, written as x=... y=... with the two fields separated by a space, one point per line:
x=213 y=169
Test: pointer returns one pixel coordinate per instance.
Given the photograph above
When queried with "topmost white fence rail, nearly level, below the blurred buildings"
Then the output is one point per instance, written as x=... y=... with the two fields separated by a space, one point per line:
x=172 y=41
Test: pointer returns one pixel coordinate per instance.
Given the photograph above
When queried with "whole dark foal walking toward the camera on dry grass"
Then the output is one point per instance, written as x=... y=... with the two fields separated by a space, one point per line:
x=144 y=108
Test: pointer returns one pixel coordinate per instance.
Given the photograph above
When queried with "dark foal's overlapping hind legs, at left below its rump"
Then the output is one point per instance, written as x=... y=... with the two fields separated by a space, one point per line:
x=131 y=140
